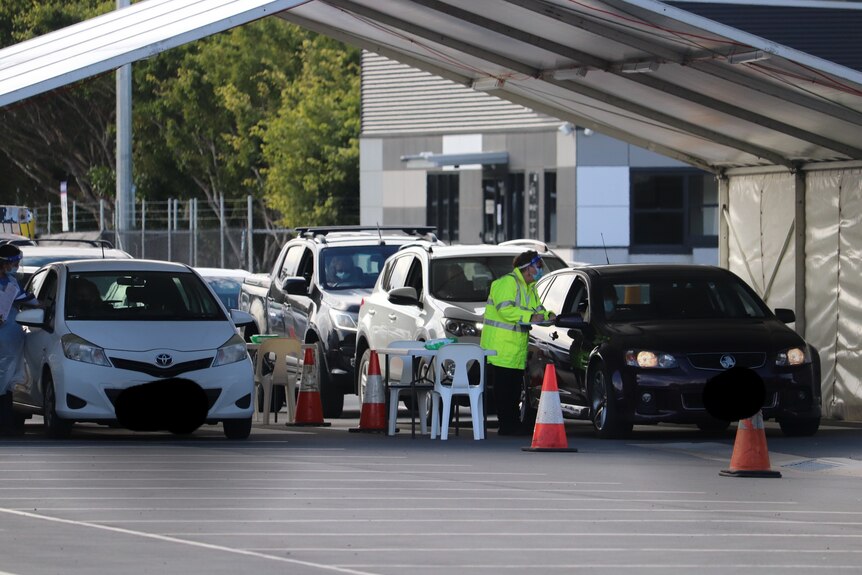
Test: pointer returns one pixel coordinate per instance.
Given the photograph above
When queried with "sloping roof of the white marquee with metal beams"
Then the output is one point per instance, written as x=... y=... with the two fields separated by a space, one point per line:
x=640 y=71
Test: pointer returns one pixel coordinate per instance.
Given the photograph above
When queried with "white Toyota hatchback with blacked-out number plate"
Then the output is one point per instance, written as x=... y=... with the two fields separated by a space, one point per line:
x=142 y=343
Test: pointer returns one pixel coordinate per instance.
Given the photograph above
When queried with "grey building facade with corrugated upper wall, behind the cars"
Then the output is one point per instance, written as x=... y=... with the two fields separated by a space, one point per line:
x=485 y=170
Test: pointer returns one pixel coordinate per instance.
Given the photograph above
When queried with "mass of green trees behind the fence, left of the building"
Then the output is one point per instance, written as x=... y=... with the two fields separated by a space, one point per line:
x=216 y=117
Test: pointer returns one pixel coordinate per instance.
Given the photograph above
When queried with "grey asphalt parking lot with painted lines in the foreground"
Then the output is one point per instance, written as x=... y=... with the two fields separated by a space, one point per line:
x=322 y=500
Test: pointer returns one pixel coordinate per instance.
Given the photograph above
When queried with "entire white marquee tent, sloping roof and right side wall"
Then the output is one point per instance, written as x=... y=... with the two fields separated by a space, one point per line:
x=780 y=128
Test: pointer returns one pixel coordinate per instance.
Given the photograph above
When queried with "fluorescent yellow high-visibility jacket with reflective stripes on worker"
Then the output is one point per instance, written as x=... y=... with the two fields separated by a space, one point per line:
x=510 y=305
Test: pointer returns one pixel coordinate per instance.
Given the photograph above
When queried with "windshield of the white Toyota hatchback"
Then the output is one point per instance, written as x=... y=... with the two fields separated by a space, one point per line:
x=139 y=296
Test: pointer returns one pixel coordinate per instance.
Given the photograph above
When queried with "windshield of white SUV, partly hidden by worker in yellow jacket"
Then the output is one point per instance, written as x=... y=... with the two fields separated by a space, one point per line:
x=468 y=279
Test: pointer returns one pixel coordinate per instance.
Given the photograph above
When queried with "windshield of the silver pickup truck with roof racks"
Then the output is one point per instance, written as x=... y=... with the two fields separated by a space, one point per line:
x=353 y=267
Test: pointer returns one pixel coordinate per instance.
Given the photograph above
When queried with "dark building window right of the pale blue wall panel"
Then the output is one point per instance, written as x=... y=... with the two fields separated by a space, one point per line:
x=673 y=210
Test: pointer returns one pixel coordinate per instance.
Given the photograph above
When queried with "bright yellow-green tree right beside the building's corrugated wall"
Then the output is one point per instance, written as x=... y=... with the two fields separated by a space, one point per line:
x=312 y=145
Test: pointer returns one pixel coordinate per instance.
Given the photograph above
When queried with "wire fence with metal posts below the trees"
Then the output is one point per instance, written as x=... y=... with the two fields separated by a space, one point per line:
x=228 y=233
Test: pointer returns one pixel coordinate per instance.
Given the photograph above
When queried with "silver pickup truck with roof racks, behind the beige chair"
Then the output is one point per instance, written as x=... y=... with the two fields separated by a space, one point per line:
x=314 y=291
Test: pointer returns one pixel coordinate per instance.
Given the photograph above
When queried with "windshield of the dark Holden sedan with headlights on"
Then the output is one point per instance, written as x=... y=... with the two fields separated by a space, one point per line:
x=694 y=298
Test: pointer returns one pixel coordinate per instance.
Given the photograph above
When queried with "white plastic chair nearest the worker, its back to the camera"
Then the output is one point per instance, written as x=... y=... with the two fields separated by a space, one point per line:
x=461 y=354
